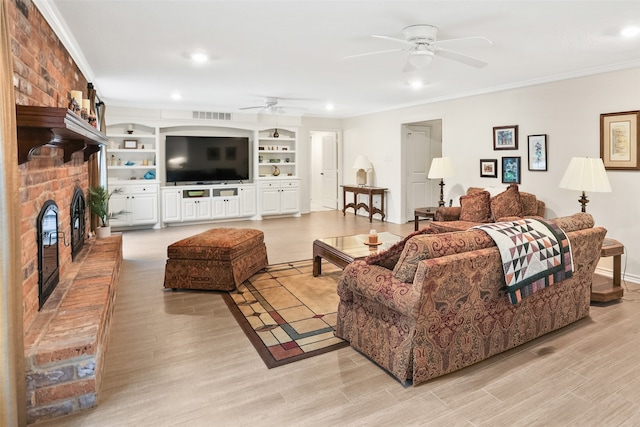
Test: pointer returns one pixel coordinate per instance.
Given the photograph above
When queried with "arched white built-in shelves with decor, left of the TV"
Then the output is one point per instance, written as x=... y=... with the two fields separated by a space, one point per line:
x=132 y=156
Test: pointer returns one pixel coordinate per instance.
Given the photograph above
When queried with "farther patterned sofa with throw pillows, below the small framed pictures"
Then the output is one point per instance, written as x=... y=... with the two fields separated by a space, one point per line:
x=480 y=206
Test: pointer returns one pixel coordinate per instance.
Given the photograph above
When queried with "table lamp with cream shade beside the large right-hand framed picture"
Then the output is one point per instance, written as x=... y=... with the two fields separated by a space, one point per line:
x=585 y=174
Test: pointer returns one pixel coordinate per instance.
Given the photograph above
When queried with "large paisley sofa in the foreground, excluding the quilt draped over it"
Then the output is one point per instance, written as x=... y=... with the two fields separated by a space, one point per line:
x=436 y=303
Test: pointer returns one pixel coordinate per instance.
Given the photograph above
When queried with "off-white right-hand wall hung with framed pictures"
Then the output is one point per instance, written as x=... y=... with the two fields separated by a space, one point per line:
x=567 y=111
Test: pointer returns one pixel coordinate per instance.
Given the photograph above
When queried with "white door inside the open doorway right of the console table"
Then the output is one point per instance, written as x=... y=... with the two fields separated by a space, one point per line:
x=416 y=169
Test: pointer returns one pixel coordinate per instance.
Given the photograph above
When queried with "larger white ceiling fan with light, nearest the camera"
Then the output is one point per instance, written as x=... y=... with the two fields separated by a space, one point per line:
x=421 y=44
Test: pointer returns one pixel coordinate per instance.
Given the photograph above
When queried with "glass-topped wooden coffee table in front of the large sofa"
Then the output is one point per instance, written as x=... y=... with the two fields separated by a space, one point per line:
x=343 y=250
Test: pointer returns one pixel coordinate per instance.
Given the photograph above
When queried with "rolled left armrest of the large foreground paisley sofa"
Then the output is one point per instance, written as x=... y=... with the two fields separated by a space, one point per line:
x=378 y=284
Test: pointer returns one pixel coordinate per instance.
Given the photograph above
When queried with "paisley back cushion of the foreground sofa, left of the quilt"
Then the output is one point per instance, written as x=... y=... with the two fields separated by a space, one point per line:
x=419 y=248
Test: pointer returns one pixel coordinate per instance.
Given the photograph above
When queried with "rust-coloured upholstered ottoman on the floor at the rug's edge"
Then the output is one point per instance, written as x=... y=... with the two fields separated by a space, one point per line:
x=217 y=259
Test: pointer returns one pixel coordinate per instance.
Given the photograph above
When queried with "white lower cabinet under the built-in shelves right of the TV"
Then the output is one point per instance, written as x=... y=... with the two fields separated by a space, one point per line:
x=279 y=197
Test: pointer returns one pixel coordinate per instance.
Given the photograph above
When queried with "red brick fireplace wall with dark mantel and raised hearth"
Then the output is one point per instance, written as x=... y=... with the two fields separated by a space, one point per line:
x=66 y=339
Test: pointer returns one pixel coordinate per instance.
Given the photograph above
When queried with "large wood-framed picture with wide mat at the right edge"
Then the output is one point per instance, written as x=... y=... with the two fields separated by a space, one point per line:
x=619 y=140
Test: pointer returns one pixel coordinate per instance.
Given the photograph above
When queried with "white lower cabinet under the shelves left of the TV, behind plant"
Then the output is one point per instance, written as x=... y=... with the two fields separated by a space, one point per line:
x=139 y=203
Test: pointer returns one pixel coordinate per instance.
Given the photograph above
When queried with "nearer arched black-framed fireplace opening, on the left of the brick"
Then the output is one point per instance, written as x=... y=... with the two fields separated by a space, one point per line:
x=48 y=262
